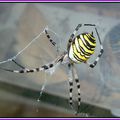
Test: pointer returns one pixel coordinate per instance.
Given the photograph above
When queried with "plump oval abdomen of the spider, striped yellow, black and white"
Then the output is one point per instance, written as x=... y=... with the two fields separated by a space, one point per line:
x=82 y=47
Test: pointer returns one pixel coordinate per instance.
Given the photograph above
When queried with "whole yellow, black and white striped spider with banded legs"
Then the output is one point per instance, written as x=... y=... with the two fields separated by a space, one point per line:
x=79 y=49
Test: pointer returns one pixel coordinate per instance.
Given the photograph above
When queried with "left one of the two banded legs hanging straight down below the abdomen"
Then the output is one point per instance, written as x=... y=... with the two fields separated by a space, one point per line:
x=70 y=78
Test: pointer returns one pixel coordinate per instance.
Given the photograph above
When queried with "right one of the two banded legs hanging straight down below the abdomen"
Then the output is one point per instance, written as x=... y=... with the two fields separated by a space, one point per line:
x=78 y=87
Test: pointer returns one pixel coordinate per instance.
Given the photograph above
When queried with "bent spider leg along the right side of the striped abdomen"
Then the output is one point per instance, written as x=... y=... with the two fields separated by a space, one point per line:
x=101 y=51
